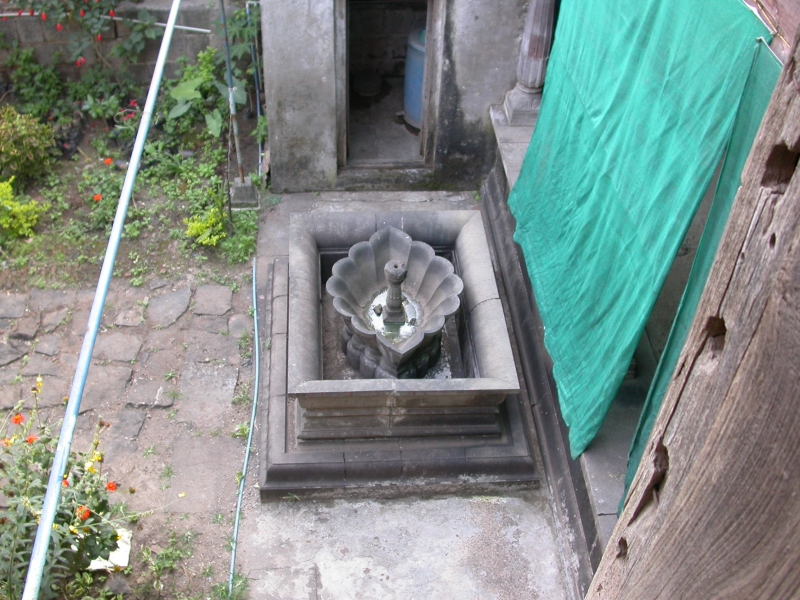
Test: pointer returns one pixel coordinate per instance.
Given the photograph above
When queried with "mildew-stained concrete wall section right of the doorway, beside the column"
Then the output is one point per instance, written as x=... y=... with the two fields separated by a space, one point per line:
x=481 y=40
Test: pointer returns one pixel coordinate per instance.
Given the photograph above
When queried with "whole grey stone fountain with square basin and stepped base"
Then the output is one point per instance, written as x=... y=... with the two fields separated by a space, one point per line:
x=407 y=292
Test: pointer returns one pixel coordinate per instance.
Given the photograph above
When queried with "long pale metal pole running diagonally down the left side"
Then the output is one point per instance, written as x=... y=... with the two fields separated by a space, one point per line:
x=33 y=580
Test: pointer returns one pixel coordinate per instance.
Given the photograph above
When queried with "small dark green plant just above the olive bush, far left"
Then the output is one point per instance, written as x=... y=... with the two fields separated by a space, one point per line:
x=37 y=88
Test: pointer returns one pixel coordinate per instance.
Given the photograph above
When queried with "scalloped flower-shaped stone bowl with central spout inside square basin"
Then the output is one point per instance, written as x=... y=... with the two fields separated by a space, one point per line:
x=395 y=295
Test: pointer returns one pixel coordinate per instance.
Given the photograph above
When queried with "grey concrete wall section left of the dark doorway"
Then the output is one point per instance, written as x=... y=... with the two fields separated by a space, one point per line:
x=300 y=82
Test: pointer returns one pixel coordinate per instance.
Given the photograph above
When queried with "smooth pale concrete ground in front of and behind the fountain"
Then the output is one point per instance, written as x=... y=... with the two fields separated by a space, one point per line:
x=500 y=544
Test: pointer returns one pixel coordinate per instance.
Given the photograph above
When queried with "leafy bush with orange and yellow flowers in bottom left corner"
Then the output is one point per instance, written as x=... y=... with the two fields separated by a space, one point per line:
x=85 y=523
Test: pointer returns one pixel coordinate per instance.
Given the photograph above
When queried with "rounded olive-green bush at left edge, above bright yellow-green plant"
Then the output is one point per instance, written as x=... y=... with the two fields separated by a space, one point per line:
x=26 y=146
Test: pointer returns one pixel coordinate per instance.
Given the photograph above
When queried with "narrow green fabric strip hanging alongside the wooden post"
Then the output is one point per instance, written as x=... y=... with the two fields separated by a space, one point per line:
x=763 y=76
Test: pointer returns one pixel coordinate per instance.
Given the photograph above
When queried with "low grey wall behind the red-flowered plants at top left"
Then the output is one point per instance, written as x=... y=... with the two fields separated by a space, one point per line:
x=51 y=46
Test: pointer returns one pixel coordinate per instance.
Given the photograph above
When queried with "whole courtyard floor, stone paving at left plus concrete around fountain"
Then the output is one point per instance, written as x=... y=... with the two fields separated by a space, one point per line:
x=171 y=372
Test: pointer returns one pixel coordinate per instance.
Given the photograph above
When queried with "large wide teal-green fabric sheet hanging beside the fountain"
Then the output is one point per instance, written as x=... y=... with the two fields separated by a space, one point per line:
x=638 y=104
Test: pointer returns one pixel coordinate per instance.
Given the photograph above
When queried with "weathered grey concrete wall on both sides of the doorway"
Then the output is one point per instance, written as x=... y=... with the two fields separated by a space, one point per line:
x=474 y=64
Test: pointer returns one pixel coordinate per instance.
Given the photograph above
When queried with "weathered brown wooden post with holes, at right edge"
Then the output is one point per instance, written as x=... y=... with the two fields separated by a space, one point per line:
x=714 y=510
